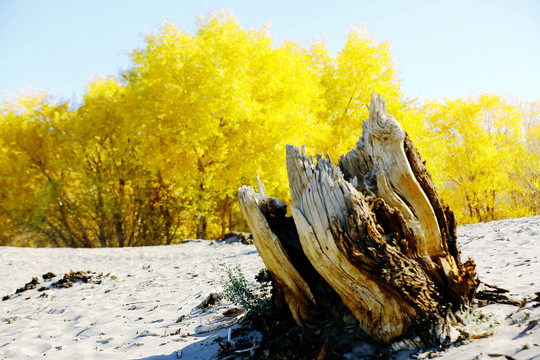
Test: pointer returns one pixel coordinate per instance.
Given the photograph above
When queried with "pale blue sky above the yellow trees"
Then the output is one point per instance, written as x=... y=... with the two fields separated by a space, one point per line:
x=442 y=48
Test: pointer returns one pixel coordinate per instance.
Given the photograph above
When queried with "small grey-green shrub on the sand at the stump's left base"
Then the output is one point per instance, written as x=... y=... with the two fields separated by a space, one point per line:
x=253 y=298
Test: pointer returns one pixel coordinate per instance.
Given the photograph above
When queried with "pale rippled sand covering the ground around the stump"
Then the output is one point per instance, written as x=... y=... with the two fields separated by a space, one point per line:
x=146 y=304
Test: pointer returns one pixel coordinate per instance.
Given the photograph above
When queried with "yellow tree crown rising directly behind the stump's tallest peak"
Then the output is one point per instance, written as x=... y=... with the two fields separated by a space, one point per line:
x=347 y=82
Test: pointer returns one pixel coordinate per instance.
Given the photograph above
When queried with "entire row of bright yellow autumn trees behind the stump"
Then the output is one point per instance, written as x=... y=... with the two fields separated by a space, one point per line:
x=156 y=154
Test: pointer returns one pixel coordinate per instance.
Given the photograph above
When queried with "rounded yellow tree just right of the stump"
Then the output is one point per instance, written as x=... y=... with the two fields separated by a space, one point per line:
x=472 y=152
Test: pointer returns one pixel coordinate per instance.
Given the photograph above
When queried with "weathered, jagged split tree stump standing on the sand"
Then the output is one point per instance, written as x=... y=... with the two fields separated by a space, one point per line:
x=368 y=237
